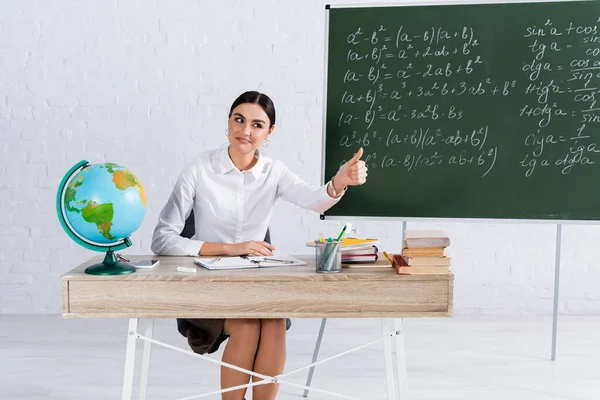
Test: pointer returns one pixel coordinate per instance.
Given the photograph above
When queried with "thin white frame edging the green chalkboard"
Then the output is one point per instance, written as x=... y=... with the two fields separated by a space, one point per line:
x=424 y=3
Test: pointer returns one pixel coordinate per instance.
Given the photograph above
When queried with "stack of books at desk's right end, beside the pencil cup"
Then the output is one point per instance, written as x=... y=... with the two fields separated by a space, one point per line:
x=423 y=252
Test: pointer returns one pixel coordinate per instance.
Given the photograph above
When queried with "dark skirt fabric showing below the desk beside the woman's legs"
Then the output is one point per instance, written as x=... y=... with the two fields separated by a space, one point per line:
x=206 y=335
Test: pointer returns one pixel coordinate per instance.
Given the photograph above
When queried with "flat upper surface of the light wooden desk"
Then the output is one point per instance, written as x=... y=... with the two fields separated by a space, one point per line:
x=167 y=271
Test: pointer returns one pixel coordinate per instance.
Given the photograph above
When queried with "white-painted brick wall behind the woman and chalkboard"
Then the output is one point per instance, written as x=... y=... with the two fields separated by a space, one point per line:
x=148 y=83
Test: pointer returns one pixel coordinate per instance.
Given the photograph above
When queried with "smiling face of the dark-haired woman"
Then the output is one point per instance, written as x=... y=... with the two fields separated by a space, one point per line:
x=248 y=127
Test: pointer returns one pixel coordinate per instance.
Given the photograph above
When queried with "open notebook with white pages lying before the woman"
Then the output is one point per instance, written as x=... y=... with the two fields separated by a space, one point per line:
x=241 y=262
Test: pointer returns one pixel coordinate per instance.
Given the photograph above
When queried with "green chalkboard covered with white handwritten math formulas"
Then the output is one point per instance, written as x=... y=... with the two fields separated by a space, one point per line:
x=479 y=111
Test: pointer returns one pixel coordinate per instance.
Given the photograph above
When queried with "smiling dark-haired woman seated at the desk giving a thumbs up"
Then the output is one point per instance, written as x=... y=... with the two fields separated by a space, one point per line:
x=232 y=191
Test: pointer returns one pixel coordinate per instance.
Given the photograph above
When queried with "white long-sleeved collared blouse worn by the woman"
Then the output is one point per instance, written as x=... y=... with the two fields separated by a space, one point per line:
x=230 y=206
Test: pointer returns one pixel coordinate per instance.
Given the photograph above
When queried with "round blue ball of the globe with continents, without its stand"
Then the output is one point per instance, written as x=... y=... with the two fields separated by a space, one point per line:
x=104 y=203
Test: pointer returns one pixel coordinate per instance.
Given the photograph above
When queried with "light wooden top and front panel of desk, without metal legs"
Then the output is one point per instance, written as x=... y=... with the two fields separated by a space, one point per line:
x=293 y=292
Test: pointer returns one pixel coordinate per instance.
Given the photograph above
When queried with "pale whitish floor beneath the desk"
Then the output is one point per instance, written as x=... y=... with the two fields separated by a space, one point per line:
x=459 y=358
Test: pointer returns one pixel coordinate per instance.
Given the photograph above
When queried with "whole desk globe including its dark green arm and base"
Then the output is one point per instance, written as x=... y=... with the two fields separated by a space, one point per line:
x=100 y=206
